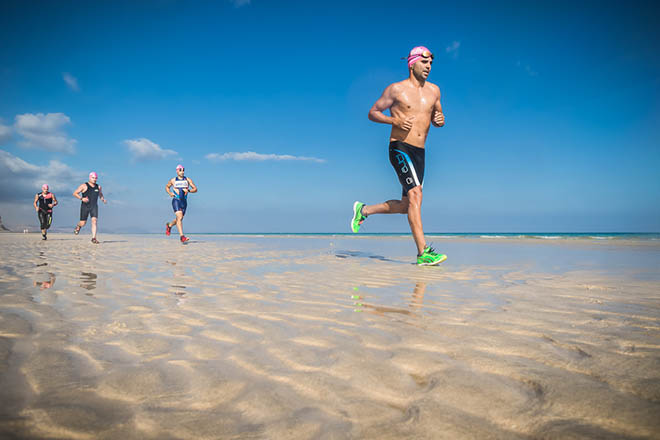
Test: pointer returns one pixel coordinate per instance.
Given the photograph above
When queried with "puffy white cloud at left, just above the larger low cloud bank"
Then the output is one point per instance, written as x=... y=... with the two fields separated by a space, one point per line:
x=44 y=131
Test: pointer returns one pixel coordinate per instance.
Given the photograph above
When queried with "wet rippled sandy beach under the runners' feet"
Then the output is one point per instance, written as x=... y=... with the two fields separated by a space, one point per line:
x=323 y=337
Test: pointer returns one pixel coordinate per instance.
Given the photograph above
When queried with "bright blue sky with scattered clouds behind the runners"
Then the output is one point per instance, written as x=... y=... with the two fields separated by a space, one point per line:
x=552 y=112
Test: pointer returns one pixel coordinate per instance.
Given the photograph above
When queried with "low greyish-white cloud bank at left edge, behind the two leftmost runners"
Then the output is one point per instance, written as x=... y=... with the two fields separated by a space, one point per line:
x=25 y=179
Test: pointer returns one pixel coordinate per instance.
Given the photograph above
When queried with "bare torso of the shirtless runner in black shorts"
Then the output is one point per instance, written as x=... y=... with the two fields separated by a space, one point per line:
x=417 y=102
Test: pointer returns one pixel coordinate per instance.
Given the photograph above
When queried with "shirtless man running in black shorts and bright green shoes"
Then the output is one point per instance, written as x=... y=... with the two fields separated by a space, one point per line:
x=414 y=105
